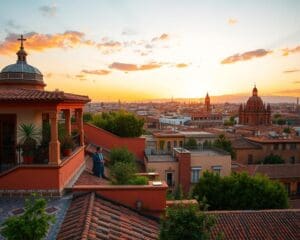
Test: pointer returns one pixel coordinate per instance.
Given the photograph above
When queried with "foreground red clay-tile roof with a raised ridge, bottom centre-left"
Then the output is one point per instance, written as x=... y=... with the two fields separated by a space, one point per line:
x=92 y=217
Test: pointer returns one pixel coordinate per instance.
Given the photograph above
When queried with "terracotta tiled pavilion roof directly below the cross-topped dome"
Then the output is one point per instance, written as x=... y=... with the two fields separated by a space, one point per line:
x=31 y=95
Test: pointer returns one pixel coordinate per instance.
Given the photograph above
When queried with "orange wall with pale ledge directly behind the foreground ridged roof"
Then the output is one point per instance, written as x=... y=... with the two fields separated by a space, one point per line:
x=153 y=198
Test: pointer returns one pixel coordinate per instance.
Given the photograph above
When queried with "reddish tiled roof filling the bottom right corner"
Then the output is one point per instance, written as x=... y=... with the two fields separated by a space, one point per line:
x=258 y=225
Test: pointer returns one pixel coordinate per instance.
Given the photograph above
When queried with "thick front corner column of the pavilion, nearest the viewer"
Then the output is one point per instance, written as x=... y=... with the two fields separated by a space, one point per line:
x=54 y=145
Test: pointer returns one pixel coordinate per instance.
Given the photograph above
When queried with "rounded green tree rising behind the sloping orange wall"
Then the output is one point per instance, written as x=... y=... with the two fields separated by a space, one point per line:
x=121 y=123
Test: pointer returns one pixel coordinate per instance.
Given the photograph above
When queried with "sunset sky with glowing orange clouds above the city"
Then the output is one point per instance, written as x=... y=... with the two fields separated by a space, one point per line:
x=141 y=50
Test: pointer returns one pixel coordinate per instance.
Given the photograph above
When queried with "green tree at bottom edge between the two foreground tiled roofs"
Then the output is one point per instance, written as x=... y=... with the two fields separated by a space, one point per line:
x=186 y=222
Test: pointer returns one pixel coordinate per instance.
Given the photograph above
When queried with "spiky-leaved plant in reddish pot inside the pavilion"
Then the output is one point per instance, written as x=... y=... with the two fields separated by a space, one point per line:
x=29 y=135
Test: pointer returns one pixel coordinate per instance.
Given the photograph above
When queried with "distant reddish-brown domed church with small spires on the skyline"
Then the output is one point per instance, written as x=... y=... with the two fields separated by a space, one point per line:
x=255 y=112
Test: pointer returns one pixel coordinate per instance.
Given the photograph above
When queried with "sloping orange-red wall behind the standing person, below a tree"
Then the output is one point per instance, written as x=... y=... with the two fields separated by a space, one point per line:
x=108 y=140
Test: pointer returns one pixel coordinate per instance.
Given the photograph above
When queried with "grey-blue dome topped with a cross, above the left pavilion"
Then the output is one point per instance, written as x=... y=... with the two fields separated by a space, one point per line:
x=21 y=74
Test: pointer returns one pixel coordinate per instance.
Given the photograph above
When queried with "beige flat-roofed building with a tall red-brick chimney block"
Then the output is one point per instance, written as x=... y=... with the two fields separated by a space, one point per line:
x=184 y=167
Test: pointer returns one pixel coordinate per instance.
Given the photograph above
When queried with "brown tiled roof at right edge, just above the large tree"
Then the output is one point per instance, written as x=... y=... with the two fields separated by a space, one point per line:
x=279 y=170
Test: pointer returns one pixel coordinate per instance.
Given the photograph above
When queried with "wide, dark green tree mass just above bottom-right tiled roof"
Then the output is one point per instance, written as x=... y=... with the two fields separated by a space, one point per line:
x=239 y=191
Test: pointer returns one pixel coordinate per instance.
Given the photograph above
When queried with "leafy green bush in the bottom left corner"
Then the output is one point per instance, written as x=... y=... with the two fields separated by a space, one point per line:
x=32 y=225
